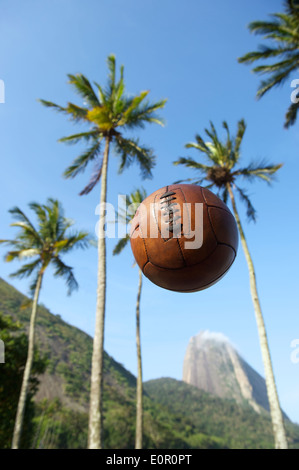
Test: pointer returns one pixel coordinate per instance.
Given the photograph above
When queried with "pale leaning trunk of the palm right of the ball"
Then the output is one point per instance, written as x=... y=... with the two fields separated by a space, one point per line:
x=275 y=410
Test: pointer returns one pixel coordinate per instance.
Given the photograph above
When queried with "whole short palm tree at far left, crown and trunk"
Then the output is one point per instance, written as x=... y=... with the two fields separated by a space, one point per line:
x=46 y=244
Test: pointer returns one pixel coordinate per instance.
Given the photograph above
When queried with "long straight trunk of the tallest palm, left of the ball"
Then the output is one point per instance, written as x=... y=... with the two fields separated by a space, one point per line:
x=95 y=437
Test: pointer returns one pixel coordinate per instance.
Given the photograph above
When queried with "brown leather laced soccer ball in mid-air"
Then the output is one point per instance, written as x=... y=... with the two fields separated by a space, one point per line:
x=184 y=238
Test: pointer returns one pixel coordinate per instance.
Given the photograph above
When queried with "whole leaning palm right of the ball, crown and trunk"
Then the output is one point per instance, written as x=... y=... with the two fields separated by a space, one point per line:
x=222 y=171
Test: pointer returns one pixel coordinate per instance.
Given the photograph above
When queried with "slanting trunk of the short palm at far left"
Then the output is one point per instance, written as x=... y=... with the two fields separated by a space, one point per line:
x=27 y=371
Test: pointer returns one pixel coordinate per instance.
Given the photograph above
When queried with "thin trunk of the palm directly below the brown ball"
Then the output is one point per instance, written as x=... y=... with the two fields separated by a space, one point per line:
x=139 y=406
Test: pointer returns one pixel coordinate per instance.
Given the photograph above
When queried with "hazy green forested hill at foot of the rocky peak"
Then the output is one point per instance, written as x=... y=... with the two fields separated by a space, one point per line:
x=238 y=426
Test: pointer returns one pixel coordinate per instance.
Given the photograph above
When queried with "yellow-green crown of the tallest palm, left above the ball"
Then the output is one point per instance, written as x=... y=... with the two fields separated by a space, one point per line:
x=109 y=113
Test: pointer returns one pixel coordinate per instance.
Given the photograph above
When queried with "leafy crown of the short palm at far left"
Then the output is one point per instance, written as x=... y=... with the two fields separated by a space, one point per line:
x=46 y=244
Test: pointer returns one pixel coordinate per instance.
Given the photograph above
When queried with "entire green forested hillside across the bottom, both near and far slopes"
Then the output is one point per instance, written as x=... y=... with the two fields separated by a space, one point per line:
x=176 y=415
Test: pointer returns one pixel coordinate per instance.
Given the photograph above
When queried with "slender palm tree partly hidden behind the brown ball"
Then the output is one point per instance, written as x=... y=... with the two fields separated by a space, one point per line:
x=132 y=203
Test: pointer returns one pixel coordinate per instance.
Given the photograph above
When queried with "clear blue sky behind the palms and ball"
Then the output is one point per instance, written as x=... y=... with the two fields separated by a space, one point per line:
x=186 y=52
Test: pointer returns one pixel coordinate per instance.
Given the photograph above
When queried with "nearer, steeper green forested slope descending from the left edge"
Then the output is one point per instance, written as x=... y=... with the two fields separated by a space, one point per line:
x=61 y=405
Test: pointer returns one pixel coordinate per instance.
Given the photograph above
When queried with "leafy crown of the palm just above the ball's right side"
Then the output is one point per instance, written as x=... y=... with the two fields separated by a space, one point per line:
x=222 y=168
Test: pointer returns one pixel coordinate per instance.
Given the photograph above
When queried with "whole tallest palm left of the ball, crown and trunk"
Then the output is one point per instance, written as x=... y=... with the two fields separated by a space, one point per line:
x=109 y=112
